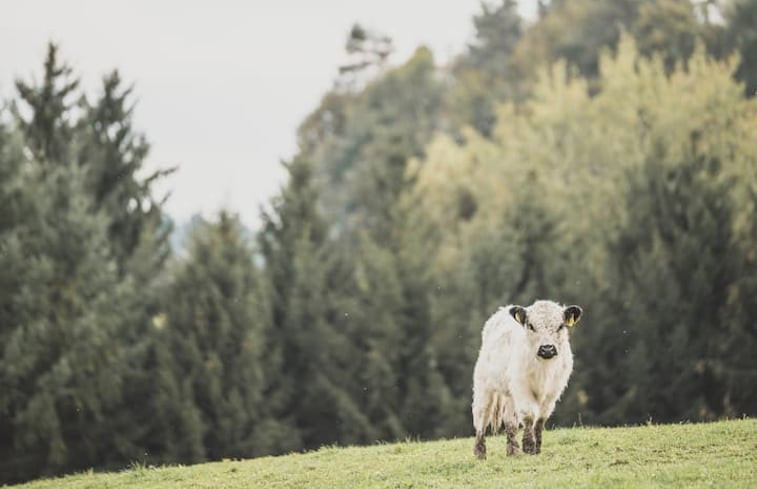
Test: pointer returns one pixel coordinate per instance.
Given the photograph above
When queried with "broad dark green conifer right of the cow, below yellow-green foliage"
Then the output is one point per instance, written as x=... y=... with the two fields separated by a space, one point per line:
x=677 y=262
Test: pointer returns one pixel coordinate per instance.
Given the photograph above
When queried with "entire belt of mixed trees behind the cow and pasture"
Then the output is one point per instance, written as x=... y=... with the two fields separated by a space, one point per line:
x=602 y=155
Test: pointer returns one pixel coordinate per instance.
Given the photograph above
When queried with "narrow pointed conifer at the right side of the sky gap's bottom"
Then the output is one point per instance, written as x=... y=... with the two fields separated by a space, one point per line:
x=309 y=358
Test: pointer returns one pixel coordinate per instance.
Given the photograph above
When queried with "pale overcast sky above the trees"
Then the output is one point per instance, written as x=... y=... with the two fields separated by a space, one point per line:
x=221 y=85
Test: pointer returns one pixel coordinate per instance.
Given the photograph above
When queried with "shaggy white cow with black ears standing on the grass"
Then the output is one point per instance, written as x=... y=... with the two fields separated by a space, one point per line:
x=522 y=369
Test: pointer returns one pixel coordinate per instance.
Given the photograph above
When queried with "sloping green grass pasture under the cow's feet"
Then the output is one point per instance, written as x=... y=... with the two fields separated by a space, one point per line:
x=722 y=454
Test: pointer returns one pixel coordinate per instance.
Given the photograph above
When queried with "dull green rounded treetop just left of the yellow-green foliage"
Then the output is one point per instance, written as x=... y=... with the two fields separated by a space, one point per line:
x=364 y=164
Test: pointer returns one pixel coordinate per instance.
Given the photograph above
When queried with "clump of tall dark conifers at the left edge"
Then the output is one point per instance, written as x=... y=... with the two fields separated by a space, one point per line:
x=78 y=292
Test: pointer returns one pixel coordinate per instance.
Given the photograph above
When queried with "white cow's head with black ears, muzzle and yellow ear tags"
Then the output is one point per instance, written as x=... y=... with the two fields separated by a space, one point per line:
x=547 y=324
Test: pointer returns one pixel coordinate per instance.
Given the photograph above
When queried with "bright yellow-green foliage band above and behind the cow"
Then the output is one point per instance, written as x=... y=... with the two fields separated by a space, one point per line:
x=572 y=152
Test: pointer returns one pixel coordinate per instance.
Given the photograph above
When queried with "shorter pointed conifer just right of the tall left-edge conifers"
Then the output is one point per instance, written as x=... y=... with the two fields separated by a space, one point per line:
x=216 y=320
